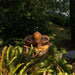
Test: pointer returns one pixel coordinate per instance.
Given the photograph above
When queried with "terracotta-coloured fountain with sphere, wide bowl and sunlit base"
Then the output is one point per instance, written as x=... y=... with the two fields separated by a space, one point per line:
x=41 y=42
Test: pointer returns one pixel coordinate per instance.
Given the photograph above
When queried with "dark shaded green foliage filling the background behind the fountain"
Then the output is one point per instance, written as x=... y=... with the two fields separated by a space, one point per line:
x=20 y=18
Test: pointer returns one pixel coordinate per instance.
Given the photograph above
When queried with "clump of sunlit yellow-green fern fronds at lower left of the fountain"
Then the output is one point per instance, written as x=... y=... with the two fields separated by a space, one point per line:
x=16 y=60
